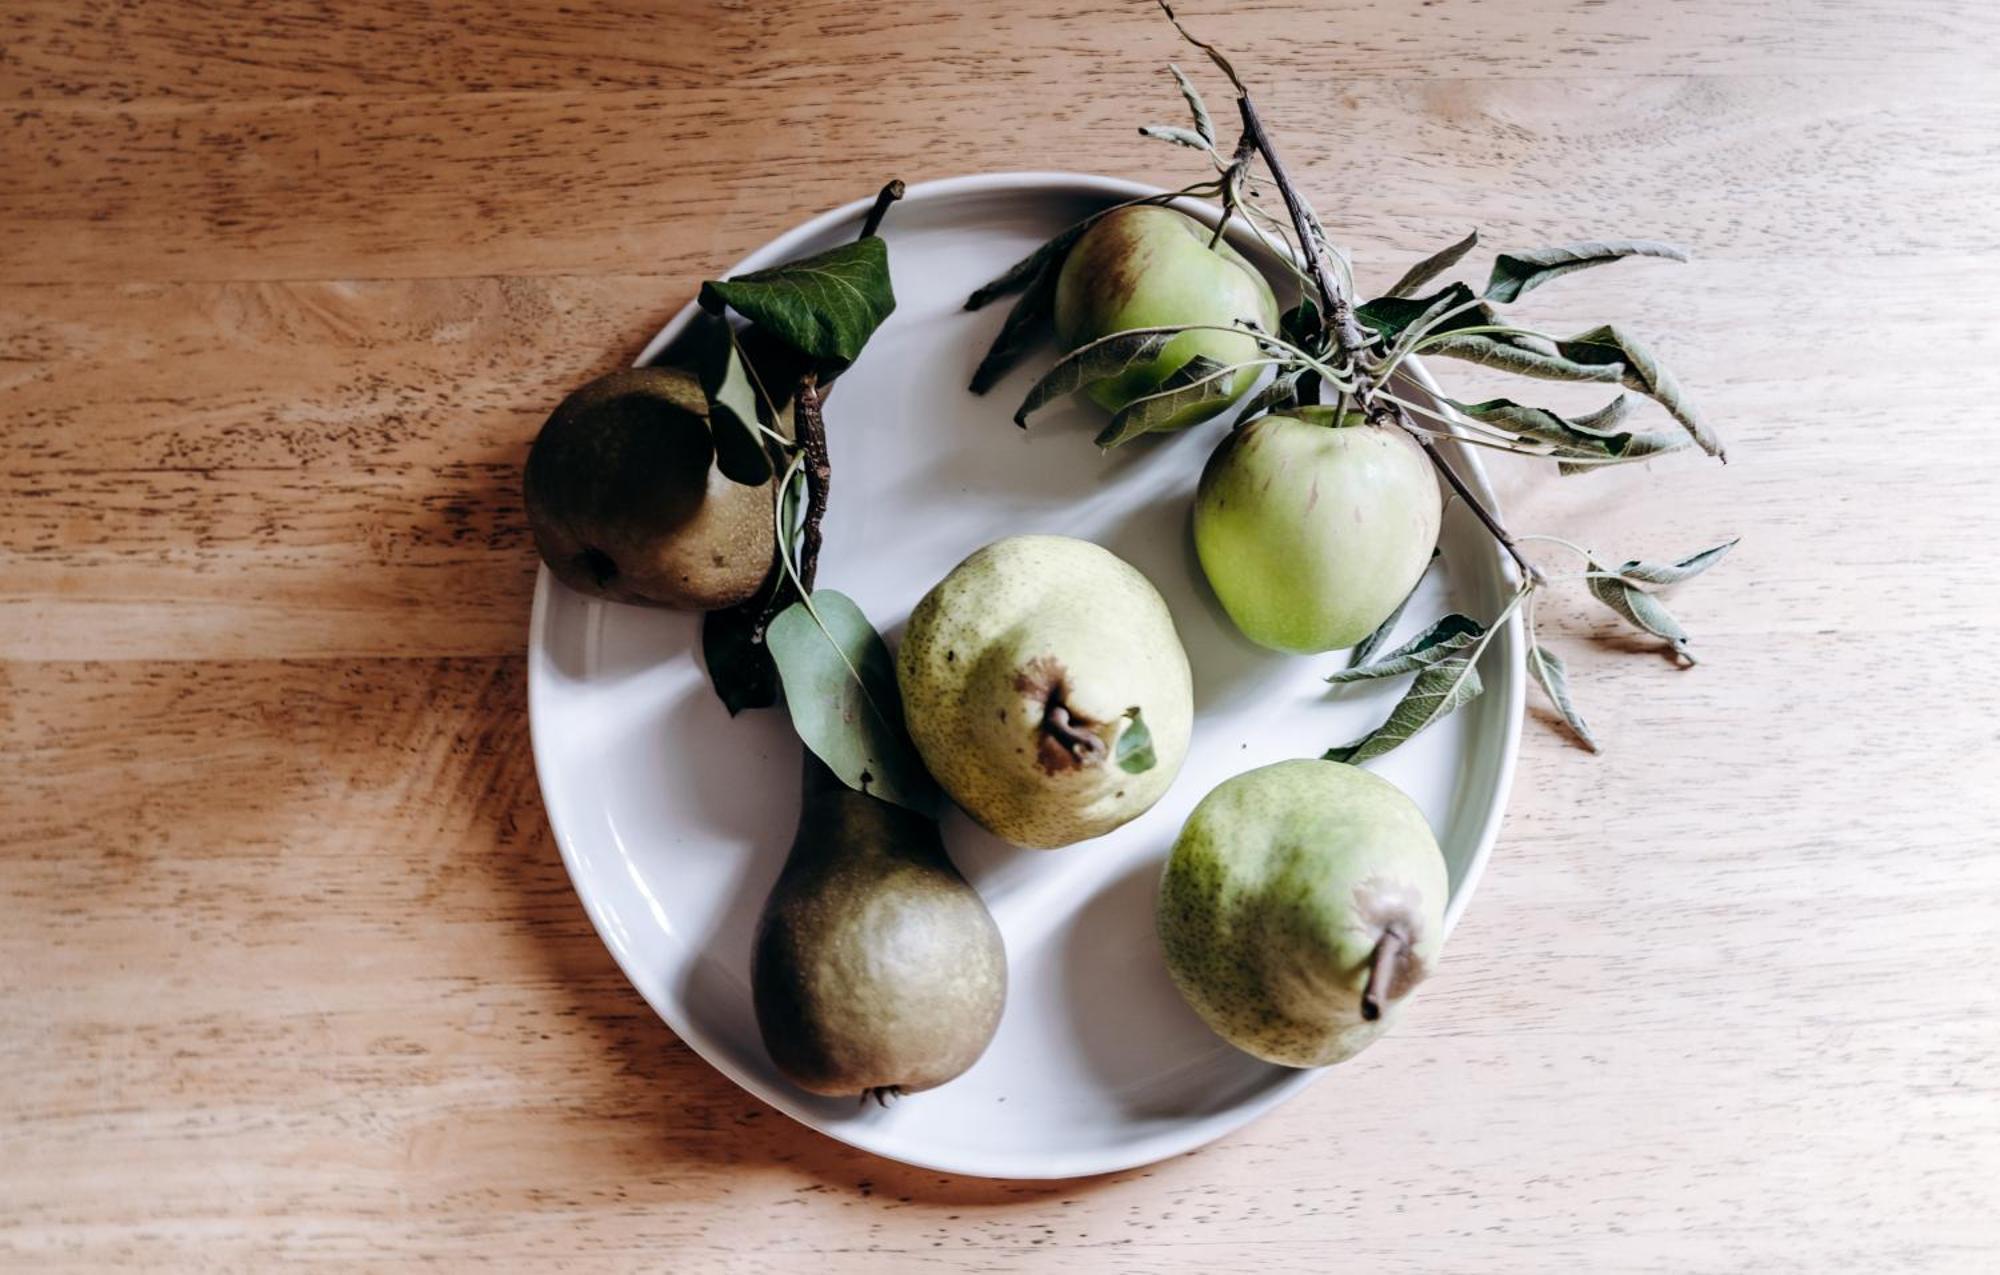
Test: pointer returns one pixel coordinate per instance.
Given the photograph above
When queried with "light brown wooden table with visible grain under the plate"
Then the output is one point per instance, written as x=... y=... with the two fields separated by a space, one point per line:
x=293 y=968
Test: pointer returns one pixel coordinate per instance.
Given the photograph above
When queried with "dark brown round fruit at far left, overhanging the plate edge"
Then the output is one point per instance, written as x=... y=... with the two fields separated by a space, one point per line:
x=627 y=505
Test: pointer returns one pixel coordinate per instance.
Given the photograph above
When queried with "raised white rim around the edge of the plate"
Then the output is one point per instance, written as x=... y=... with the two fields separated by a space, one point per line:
x=1153 y=1148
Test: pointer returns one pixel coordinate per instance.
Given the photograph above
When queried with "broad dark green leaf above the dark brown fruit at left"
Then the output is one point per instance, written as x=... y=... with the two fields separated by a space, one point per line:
x=827 y=305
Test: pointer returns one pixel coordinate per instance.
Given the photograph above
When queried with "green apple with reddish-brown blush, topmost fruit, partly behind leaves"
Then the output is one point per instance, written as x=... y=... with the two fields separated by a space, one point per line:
x=1153 y=269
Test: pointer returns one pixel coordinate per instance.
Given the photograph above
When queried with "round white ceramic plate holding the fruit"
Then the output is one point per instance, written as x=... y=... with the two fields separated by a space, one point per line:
x=675 y=818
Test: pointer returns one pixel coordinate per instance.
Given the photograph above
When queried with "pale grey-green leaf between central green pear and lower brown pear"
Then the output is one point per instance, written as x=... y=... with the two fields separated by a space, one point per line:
x=841 y=686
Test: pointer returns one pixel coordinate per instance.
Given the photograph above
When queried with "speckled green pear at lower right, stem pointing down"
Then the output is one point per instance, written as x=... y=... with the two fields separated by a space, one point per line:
x=1301 y=904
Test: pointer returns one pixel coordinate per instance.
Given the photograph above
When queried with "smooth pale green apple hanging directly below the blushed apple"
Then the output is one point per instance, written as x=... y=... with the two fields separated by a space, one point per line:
x=1313 y=531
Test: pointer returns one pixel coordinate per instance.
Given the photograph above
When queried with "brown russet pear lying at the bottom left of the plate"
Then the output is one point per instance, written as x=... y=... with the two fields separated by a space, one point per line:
x=877 y=966
